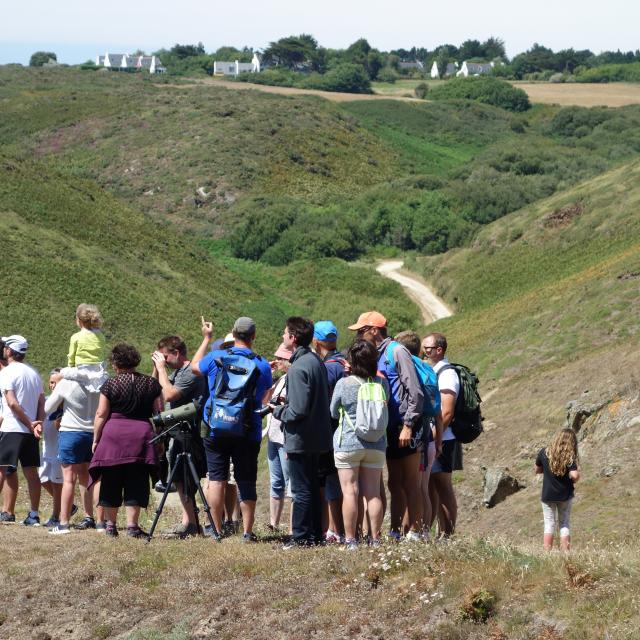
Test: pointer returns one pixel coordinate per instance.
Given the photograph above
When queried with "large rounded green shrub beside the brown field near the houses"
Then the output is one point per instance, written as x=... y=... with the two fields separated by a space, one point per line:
x=483 y=89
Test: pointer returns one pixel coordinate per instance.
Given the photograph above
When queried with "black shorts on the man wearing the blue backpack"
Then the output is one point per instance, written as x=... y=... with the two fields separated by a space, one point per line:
x=244 y=453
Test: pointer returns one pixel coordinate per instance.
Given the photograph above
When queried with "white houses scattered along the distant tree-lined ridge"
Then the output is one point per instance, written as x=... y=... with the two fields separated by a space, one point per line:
x=153 y=65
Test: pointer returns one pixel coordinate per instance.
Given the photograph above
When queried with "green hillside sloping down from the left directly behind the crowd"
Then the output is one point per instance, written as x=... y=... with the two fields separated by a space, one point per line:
x=70 y=241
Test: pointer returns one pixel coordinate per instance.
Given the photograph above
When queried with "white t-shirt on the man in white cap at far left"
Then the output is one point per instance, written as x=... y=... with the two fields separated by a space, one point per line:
x=26 y=384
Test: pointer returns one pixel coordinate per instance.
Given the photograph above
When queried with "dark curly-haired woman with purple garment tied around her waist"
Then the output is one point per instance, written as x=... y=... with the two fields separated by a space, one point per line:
x=123 y=454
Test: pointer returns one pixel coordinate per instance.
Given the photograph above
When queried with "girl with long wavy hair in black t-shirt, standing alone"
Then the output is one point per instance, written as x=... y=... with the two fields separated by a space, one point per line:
x=559 y=465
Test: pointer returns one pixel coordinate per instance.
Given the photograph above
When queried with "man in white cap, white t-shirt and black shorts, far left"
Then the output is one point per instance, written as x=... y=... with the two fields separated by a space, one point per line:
x=22 y=417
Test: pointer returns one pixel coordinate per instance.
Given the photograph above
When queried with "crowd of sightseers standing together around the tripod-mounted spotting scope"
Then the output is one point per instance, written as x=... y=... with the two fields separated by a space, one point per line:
x=333 y=420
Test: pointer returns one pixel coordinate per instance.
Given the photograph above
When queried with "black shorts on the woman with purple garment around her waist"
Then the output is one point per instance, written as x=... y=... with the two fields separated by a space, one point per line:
x=130 y=481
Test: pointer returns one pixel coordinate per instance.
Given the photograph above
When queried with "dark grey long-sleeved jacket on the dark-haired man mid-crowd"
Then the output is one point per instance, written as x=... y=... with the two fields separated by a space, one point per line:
x=305 y=414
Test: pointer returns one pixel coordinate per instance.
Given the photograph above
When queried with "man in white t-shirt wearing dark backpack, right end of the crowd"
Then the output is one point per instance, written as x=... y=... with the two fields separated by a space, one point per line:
x=443 y=497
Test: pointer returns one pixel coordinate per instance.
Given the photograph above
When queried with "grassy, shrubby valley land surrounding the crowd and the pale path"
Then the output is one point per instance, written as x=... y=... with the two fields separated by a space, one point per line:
x=139 y=196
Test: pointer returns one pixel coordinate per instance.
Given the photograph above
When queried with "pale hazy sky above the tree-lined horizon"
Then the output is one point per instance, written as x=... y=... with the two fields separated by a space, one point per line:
x=77 y=30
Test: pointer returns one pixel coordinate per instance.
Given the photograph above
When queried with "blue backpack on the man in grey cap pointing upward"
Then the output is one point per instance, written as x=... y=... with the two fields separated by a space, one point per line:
x=231 y=407
